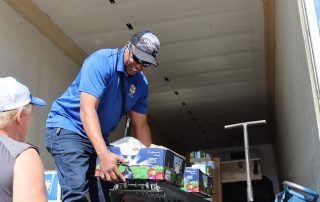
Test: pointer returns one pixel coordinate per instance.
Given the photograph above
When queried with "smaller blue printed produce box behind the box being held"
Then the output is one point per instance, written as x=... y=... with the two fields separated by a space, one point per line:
x=196 y=181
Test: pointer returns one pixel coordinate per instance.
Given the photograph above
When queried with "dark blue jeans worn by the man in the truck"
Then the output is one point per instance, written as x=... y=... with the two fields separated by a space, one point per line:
x=75 y=160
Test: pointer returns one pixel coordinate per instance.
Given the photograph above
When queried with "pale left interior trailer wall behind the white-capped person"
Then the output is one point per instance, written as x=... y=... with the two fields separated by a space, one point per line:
x=30 y=57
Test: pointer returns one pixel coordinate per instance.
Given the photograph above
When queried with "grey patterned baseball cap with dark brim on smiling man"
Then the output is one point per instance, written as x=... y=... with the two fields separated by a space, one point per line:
x=145 y=46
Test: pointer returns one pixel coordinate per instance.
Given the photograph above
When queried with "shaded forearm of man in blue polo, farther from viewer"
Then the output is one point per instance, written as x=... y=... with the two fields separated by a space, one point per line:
x=140 y=127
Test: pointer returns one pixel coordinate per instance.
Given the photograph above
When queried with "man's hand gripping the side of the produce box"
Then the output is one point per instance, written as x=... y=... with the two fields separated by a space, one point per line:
x=109 y=165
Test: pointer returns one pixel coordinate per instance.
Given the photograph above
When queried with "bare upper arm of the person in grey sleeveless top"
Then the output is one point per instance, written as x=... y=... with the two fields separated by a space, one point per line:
x=28 y=178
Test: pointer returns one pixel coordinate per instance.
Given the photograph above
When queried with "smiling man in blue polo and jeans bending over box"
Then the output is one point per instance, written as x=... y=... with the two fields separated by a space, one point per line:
x=110 y=84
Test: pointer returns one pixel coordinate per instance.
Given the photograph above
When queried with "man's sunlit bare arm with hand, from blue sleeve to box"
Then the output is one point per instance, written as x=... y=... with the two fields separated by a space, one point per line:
x=91 y=124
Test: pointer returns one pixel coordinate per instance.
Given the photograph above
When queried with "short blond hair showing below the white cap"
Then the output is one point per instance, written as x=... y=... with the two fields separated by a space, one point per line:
x=7 y=117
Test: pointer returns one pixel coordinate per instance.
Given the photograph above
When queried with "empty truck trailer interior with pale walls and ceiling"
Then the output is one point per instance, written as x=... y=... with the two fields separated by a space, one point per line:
x=221 y=62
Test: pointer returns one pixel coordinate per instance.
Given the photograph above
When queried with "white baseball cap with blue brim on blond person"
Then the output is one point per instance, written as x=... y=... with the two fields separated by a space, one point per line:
x=14 y=94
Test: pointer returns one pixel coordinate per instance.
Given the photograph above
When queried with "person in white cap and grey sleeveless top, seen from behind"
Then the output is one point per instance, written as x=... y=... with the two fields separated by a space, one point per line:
x=21 y=169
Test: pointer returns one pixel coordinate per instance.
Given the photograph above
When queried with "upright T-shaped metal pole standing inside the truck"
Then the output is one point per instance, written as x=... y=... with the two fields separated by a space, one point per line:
x=247 y=153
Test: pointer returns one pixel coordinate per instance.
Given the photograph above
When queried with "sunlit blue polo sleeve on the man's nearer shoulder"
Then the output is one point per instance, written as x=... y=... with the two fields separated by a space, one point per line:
x=95 y=74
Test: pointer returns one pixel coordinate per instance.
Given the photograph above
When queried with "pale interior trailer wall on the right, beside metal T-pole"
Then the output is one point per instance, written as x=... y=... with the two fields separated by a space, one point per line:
x=297 y=137
